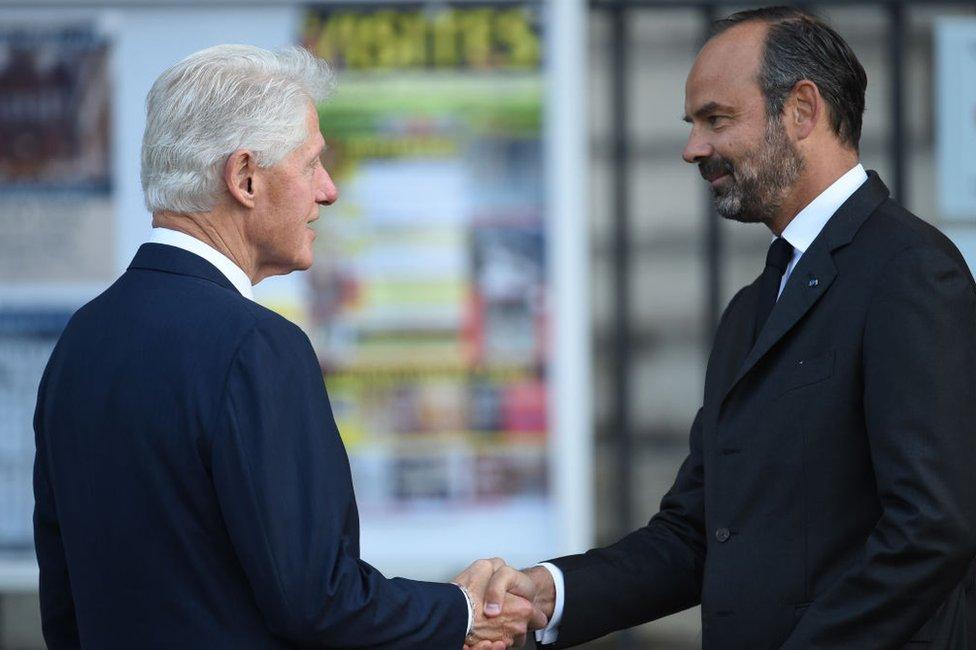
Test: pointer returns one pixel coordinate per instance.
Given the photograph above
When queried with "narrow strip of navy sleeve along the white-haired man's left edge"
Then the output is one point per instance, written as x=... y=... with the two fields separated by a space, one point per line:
x=58 y=623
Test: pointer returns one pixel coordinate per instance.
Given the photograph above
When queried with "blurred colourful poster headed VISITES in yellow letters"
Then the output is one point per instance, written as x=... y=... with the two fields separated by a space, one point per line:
x=429 y=301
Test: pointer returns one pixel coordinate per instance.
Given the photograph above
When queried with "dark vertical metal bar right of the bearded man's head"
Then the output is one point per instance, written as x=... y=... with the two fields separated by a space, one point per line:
x=898 y=134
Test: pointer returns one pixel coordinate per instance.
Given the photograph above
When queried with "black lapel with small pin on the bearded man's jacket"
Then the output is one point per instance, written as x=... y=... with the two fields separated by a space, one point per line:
x=814 y=273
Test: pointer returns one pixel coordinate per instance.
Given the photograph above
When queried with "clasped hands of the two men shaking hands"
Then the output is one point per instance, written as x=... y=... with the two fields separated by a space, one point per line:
x=507 y=603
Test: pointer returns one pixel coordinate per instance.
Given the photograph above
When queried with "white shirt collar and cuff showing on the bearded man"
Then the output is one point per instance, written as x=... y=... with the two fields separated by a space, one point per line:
x=800 y=233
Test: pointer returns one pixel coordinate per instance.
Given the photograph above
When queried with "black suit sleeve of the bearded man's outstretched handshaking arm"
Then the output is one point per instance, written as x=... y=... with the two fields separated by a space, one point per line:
x=650 y=573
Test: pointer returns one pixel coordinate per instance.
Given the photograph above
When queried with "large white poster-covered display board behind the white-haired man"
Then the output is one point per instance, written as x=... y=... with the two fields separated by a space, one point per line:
x=447 y=302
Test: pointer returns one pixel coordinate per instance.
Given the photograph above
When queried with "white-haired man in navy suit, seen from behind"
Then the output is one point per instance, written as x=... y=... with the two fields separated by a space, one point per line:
x=191 y=488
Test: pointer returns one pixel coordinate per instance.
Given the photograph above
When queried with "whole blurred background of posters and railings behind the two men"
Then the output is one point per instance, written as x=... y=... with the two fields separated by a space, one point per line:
x=512 y=301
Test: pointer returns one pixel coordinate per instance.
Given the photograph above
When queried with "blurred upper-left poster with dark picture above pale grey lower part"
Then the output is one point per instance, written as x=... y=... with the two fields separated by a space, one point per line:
x=56 y=216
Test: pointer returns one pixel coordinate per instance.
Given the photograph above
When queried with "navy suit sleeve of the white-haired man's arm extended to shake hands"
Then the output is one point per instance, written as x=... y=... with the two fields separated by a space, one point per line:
x=283 y=483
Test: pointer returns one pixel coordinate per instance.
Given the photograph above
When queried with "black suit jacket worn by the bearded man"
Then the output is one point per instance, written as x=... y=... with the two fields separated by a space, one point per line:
x=829 y=497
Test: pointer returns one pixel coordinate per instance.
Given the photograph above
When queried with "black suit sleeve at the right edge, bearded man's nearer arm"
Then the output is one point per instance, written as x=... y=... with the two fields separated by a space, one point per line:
x=919 y=364
